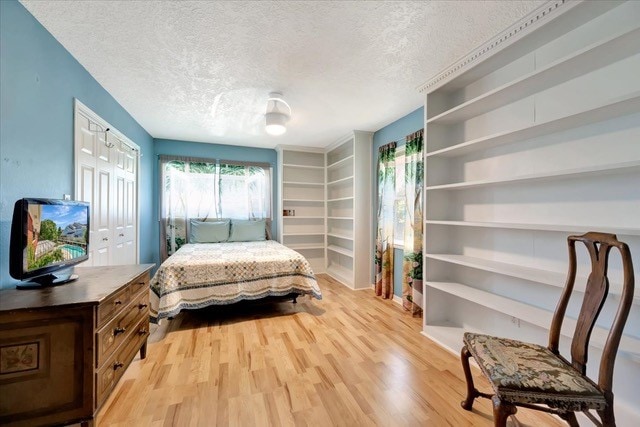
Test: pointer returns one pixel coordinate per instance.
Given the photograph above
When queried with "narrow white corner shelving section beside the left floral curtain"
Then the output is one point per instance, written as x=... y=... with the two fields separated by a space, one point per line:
x=349 y=245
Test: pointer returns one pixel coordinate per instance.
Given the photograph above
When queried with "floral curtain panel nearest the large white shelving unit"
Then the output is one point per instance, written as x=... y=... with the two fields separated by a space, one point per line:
x=412 y=260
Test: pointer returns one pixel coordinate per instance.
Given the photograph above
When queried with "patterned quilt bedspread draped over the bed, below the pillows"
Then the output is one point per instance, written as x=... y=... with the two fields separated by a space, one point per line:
x=199 y=275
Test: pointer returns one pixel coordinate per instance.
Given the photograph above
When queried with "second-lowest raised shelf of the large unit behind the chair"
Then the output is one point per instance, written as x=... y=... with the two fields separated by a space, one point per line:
x=537 y=275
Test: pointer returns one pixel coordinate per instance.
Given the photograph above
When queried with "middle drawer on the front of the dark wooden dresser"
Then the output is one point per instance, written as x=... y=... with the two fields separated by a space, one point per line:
x=110 y=337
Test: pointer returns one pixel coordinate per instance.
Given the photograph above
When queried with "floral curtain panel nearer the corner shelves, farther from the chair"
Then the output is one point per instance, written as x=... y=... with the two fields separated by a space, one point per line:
x=384 y=235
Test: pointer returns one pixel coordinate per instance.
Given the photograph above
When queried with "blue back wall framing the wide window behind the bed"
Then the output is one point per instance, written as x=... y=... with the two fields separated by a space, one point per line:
x=222 y=152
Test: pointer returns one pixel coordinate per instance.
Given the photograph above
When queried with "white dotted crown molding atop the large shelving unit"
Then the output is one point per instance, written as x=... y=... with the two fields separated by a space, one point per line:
x=526 y=25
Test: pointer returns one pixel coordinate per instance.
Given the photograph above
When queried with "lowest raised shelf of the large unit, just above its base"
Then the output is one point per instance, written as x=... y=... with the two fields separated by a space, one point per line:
x=530 y=314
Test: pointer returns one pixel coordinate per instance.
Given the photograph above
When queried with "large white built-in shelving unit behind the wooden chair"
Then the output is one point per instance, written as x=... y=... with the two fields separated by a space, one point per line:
x=530 y=138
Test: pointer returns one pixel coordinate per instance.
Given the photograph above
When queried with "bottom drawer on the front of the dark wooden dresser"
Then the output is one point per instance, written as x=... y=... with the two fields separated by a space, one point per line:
x=109 y=374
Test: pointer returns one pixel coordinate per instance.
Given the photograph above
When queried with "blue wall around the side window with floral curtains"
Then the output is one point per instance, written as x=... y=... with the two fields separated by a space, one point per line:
x=395 y=131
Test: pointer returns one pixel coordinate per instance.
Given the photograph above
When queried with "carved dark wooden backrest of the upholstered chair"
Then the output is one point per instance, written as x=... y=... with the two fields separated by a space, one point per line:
x=598 y=245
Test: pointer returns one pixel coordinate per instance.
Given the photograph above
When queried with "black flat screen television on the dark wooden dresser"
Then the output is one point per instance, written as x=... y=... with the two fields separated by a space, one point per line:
x=48 y=237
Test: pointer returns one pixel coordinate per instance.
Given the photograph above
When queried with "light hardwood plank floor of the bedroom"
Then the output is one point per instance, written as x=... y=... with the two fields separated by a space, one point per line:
x=351 y=359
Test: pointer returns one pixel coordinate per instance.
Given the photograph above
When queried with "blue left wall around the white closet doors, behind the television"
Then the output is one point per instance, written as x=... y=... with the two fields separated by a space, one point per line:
x=38 y=81
